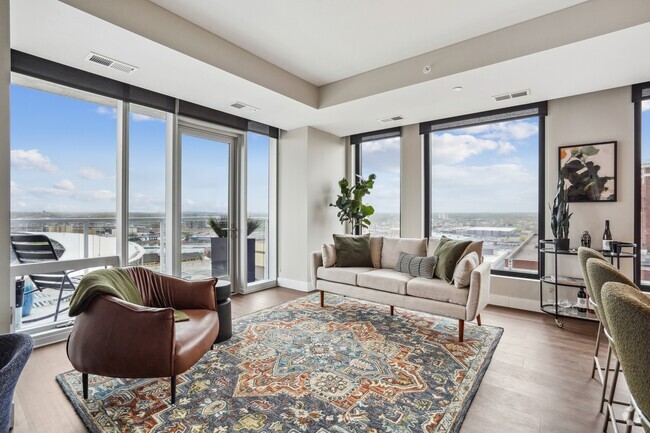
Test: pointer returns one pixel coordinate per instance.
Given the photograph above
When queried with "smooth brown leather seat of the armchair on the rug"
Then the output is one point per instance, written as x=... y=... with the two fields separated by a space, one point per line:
x=194 y=338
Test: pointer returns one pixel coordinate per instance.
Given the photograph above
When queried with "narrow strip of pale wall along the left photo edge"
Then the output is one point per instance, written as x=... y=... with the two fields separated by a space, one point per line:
x=5 y=176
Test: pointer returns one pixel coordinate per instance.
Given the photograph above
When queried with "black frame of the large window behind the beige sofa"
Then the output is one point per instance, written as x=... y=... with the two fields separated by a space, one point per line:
x=538 y=110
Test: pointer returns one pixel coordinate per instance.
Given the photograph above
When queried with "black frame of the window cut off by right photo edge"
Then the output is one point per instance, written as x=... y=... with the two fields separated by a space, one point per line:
x=640 y=93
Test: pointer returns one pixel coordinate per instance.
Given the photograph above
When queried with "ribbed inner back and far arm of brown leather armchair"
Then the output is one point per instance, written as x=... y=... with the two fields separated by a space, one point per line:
x=163 y=291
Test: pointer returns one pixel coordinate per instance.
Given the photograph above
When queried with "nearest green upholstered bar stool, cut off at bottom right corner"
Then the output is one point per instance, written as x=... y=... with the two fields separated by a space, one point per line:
x=628 y=314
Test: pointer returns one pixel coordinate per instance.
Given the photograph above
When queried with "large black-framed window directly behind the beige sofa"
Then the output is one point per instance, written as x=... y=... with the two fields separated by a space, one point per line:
x=485 y=184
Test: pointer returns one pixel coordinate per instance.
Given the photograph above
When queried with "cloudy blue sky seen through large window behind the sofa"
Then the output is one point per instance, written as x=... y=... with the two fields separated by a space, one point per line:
x=486 y=168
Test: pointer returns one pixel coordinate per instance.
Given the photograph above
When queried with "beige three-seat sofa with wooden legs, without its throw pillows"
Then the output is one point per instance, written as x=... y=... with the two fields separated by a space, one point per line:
x=384 y=285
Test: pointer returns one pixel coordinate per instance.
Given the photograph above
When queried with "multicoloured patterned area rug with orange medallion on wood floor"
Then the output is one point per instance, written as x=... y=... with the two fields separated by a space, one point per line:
x=297 y=367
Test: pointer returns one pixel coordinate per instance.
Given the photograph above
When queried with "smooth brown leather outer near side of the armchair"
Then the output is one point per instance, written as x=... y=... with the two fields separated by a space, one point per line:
x=119 y=339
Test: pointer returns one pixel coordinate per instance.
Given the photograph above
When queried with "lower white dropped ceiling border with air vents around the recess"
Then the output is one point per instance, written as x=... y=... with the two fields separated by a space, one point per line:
x=56 y=31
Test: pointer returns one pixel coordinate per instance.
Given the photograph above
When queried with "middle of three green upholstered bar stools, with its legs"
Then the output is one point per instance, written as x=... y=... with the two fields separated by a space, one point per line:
x=601 y=272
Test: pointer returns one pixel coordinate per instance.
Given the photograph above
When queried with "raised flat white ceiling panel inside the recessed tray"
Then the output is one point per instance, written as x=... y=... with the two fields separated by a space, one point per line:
x=322 y=41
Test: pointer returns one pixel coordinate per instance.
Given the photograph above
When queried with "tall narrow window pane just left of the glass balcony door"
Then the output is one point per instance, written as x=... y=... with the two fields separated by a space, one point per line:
x=147 y=150
